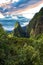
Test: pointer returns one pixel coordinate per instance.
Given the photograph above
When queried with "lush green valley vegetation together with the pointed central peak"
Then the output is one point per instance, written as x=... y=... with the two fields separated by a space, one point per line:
x=15 y=49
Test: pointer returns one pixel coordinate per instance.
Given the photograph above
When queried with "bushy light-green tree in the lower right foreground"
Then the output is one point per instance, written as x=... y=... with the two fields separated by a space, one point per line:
x=28 y=56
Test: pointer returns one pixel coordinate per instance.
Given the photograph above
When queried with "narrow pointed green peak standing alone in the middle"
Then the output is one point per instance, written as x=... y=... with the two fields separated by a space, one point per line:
x=18 y=31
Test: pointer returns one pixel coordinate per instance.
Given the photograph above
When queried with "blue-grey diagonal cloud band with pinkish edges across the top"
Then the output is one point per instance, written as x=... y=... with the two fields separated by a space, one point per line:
x=15 y=5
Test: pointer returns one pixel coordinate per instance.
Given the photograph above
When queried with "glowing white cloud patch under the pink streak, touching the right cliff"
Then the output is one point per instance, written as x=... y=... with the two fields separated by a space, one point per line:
x=30 y=13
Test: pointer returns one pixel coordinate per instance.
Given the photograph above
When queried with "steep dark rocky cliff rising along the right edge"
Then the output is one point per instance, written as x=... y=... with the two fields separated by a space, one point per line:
x=35 y=26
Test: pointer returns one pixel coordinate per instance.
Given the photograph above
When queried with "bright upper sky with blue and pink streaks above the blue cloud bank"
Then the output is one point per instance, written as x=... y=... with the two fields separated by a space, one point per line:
x=27 y=8
